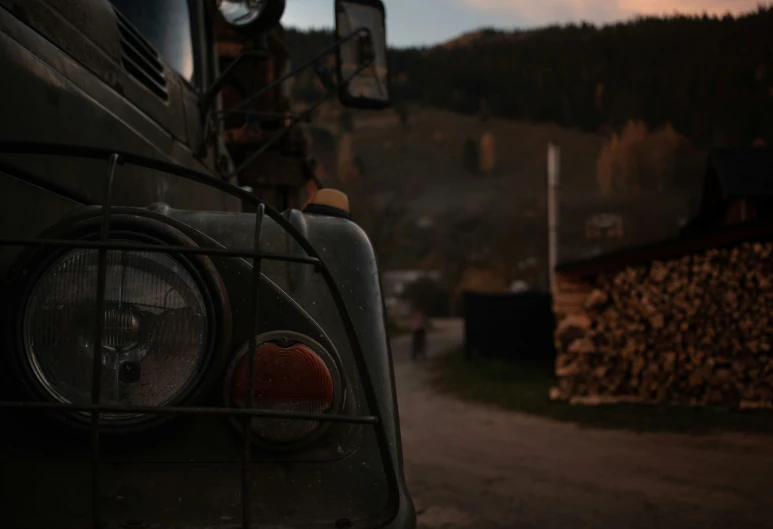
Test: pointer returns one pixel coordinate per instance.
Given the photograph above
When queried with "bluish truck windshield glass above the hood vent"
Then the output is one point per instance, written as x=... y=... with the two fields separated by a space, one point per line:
x=167 y=26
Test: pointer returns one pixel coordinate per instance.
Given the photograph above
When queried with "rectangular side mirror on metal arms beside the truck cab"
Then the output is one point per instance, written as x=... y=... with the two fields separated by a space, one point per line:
x=362 y=59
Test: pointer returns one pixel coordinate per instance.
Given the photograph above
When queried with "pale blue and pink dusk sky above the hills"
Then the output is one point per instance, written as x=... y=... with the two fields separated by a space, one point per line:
x=426 y=22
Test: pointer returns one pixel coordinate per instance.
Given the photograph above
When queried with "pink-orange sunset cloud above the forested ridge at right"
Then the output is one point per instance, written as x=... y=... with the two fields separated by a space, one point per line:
x=552 y=11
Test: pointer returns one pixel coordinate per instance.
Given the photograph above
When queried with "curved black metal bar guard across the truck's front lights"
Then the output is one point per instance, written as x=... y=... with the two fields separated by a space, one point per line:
x=116 y=158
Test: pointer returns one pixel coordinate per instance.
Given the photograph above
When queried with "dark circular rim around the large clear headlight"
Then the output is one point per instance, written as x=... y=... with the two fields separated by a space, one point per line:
x=143 y=230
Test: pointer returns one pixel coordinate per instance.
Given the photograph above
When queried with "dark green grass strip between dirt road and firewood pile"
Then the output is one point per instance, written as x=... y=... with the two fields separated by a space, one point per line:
x=524 y=387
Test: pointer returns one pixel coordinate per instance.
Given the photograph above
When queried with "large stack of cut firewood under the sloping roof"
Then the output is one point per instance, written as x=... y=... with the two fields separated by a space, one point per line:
x=695 y=330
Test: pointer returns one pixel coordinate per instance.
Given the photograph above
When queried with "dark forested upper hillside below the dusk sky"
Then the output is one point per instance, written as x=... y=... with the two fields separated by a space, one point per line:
x=710 y=78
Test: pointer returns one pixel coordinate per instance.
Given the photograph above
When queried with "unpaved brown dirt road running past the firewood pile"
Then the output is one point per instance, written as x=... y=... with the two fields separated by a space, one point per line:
x=470 y=466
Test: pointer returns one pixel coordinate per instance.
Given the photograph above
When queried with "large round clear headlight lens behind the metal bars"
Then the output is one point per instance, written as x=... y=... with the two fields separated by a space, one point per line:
x=154 y=343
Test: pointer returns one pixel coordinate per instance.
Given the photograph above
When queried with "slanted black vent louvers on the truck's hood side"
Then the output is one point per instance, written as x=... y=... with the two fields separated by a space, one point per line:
x=140 y=59
